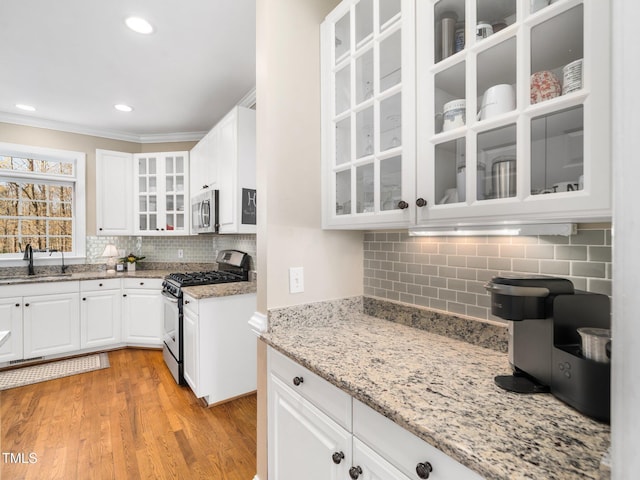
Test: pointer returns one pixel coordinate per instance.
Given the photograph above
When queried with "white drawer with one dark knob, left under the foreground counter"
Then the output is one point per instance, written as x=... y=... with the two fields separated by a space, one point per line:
x=325 y=396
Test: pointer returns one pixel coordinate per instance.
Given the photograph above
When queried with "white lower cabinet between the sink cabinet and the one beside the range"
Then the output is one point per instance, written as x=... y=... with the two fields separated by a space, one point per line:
x=100 y=312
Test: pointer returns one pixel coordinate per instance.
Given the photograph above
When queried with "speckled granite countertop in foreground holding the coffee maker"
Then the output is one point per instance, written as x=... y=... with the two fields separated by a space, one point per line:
x=442 y=390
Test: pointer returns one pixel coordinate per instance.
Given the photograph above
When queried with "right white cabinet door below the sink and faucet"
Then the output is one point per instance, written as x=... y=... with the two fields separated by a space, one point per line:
x=51 y=322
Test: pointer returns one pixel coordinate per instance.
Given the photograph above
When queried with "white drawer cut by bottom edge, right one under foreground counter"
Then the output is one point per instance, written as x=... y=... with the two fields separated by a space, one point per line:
x=403 y=449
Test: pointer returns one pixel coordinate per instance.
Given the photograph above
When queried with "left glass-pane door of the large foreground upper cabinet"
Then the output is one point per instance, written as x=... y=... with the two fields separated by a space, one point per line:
x=369 y=113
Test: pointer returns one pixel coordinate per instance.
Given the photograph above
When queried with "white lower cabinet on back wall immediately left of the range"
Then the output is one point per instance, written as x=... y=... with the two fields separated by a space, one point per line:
x=142 y=311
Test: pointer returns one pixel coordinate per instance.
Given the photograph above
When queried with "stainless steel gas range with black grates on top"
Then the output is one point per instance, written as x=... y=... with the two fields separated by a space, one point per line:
x=233 y=266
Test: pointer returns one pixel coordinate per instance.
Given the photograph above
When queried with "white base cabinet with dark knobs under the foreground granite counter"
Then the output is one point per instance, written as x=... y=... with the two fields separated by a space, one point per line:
x=318 y=432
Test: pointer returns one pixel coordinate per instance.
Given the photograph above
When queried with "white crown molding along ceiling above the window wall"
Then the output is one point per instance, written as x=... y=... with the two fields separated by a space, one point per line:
x=96 y=132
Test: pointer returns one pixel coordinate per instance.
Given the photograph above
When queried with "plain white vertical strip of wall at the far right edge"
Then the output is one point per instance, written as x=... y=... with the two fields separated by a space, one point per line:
x=625 y=411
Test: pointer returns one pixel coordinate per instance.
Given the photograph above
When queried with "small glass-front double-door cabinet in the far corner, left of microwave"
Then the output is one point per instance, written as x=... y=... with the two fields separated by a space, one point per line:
x=161 y=196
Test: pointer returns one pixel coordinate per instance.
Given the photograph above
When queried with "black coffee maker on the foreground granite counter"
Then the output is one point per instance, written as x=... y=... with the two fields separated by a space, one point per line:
x=544 y=344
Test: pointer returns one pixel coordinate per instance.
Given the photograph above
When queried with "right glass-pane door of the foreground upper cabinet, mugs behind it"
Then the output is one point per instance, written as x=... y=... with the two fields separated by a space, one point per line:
x=513 y=111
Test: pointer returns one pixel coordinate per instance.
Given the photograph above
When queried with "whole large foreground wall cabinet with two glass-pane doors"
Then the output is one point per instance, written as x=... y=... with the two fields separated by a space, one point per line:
x=455 y=112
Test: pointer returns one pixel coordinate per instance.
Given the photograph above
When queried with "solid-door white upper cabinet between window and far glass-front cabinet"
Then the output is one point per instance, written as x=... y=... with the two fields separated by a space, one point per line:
x=113 y=193
